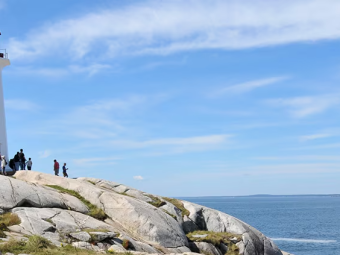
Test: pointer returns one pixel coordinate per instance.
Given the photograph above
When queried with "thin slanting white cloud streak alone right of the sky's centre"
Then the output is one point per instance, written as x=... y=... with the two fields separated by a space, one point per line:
x=247 y=86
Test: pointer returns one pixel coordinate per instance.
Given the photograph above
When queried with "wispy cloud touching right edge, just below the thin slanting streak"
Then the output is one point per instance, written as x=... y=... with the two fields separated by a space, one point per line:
x=300 y=107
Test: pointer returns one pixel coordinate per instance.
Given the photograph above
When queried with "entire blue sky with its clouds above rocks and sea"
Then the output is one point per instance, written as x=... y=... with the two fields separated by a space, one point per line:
x=178 y=98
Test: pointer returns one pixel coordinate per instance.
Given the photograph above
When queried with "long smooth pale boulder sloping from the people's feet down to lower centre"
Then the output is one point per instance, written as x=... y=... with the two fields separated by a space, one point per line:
x=138 y=217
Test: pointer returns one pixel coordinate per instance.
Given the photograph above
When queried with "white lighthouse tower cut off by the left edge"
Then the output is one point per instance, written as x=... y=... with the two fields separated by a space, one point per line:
x=4 y=61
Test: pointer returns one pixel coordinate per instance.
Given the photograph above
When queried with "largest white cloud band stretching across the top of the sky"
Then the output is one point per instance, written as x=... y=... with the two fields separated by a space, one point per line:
x=163 y=27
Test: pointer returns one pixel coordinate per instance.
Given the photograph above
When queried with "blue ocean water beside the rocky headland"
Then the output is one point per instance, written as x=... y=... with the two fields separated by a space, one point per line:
x=302 y=225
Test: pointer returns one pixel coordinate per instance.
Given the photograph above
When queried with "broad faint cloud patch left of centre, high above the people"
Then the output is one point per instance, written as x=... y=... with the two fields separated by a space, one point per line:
x=100 y=119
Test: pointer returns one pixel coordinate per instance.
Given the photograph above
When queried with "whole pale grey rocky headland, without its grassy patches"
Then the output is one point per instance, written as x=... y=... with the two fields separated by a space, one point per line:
x=150 y=230
